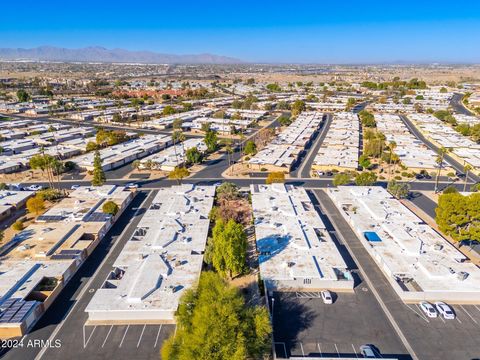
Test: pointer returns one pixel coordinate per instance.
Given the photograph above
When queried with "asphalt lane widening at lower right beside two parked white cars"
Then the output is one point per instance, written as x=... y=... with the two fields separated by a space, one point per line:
x=423 y=338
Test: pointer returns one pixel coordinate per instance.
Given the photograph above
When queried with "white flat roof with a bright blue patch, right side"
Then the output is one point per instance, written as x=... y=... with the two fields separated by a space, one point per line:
x=418 y=261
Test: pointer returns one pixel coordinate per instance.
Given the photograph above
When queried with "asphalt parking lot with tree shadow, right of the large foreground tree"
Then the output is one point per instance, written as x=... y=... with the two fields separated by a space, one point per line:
x=305 y=326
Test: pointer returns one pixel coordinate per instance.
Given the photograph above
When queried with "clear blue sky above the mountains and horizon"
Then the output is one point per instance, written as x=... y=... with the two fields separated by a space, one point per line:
x=258 y=31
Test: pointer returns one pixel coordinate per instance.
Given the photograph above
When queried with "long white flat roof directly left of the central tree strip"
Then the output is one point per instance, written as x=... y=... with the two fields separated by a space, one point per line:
x=162 y=259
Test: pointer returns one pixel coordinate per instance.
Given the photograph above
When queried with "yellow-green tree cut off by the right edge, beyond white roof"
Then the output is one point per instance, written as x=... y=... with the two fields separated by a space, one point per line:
x=459 y=216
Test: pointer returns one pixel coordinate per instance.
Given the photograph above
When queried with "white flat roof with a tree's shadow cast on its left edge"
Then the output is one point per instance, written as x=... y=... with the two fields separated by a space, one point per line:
x=296 y=250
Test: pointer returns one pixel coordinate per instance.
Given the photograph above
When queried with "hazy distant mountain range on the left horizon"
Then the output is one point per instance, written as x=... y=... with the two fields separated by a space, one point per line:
x=100 y=54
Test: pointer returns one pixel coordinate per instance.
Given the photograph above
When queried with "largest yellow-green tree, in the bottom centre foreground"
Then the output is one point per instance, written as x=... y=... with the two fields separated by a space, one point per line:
x=213 y=322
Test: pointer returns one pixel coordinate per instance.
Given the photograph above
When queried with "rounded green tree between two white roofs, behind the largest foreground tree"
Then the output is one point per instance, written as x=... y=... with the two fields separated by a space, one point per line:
x=229 y=248
